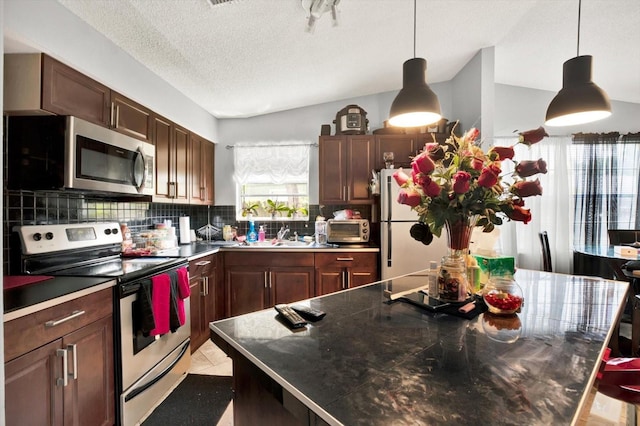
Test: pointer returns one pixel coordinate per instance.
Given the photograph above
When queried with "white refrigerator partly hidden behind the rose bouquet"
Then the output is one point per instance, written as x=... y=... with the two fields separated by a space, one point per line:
x=400 y=254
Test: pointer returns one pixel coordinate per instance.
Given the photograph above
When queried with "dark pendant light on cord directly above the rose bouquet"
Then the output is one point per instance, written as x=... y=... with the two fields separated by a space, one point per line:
x=416 y=104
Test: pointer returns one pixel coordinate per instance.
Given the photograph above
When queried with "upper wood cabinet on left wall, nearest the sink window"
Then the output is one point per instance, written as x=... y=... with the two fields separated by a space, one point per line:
x=202 y=173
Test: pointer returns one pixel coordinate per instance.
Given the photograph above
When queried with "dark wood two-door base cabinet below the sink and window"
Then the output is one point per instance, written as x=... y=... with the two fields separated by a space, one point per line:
x=255 y=281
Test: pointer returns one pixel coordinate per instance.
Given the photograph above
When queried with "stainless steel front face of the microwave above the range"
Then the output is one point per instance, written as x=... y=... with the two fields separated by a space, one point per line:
x=101 y=159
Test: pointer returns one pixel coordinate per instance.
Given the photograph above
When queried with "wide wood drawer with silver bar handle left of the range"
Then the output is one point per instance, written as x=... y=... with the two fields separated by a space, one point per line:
x=26 y=333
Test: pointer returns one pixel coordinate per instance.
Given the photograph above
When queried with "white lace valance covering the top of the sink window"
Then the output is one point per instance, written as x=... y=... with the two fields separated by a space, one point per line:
x=273 y=162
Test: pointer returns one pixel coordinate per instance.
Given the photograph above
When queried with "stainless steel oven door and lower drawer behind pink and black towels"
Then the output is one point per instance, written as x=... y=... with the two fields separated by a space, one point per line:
x=150 y=366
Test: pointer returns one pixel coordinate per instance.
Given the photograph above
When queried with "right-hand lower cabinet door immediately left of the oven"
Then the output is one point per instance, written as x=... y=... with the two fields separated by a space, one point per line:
x=89 y=398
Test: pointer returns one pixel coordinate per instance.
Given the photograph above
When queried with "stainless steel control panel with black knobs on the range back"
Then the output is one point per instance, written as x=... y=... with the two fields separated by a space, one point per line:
x=39 y=239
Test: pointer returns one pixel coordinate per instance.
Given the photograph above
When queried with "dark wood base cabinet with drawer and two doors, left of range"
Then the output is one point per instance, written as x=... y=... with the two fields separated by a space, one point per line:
x=59 y=364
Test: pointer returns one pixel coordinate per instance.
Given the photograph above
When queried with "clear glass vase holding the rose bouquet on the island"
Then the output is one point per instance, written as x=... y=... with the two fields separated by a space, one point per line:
x=453 y=283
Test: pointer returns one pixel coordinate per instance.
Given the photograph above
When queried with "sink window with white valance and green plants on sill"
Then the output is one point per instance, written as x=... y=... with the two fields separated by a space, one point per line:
x=272 y=180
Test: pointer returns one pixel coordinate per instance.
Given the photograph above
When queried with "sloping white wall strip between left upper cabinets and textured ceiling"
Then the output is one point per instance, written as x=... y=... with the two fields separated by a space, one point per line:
x=47 y=26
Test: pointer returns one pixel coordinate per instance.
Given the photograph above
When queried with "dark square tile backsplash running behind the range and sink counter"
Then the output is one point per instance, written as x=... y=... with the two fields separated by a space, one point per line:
x=61 y=207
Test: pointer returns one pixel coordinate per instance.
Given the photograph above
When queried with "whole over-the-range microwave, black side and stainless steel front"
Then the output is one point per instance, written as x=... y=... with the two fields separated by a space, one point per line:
x=65 y=152
